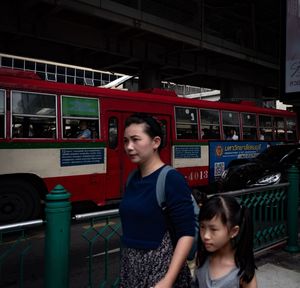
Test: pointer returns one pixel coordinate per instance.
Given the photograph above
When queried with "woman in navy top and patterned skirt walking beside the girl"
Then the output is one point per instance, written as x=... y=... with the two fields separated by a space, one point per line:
x=149 y=259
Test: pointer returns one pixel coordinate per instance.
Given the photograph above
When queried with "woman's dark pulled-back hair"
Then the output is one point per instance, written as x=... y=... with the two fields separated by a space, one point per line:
x=153 y=126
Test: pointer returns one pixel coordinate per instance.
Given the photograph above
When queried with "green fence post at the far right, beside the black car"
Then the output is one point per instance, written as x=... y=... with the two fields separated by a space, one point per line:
x=292 y=210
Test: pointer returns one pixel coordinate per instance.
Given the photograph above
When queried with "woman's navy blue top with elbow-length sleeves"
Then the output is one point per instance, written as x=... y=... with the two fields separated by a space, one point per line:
x=143 y=221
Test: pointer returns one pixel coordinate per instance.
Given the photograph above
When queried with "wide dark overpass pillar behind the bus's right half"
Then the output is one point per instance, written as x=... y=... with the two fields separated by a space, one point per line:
x=236 y=91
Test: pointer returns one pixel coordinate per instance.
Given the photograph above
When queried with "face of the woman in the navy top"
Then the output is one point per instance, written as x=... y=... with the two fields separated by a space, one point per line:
x=138 y=145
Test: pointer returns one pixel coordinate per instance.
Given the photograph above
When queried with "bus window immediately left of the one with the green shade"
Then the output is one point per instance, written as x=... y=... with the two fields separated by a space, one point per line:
x=33 y=115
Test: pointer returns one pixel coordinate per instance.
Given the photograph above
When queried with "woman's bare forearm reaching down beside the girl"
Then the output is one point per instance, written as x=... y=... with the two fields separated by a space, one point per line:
x=181 y=252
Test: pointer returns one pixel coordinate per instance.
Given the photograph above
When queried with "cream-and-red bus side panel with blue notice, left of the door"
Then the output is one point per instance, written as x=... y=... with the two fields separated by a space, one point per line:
x=79 y=168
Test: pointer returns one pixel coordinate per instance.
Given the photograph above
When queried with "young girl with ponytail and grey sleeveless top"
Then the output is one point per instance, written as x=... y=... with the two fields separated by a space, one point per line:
x=225 y=256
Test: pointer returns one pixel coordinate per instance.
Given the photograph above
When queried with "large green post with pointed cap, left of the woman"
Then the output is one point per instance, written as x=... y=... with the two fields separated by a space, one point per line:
x=57 y=239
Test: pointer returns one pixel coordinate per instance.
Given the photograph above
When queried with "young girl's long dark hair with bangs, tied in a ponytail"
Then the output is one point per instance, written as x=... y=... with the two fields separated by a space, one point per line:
x=231 y=214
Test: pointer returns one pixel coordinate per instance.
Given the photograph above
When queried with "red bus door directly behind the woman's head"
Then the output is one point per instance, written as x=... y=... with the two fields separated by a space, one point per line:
x=118 y=164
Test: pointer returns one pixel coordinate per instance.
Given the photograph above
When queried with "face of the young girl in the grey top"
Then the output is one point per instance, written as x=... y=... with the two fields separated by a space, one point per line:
x=215 y=235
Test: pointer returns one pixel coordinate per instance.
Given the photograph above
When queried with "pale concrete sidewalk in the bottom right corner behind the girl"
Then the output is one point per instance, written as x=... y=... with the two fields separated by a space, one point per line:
x=278 y=269
